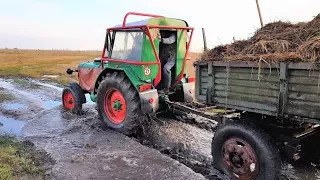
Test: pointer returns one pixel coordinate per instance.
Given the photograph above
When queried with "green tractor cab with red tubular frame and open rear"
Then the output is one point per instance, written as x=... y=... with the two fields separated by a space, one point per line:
x=138 y=45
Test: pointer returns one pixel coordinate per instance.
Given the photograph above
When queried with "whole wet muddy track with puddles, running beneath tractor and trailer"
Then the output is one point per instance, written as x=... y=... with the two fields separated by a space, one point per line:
x=84 y=148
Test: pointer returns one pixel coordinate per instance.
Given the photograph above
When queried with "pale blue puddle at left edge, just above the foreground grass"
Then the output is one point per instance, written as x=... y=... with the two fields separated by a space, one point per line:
x=11 y=126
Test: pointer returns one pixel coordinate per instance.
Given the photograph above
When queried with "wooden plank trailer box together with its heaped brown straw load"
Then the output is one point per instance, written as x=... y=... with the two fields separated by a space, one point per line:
x=275 y=72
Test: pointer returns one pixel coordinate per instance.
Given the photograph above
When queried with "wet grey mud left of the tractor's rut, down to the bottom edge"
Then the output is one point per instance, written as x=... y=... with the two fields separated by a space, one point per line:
x=82 y=146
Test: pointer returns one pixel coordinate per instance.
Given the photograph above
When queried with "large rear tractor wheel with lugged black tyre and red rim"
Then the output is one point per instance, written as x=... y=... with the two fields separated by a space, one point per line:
x=118 y=103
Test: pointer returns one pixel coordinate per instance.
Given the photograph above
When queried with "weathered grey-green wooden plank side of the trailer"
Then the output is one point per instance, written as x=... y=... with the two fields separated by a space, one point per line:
x=279 y=89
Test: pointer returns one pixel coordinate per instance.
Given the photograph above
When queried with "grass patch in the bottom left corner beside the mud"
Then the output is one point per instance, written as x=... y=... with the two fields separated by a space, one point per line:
x=14 y=161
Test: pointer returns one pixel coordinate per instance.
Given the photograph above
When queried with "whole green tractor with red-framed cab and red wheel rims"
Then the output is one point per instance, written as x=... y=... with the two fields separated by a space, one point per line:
x=127 y=80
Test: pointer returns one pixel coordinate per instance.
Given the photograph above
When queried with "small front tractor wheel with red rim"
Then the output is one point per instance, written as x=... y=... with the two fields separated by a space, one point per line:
x=73 y=98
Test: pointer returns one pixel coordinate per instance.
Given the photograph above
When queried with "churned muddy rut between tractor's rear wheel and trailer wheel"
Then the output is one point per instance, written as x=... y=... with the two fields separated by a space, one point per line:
x=188 y=142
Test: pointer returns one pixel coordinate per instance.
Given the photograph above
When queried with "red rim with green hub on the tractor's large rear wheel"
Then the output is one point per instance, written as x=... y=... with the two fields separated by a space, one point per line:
x=115 y=106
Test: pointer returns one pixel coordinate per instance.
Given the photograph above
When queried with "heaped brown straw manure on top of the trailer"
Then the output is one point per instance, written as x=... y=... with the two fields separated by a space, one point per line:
x=278 y=41
